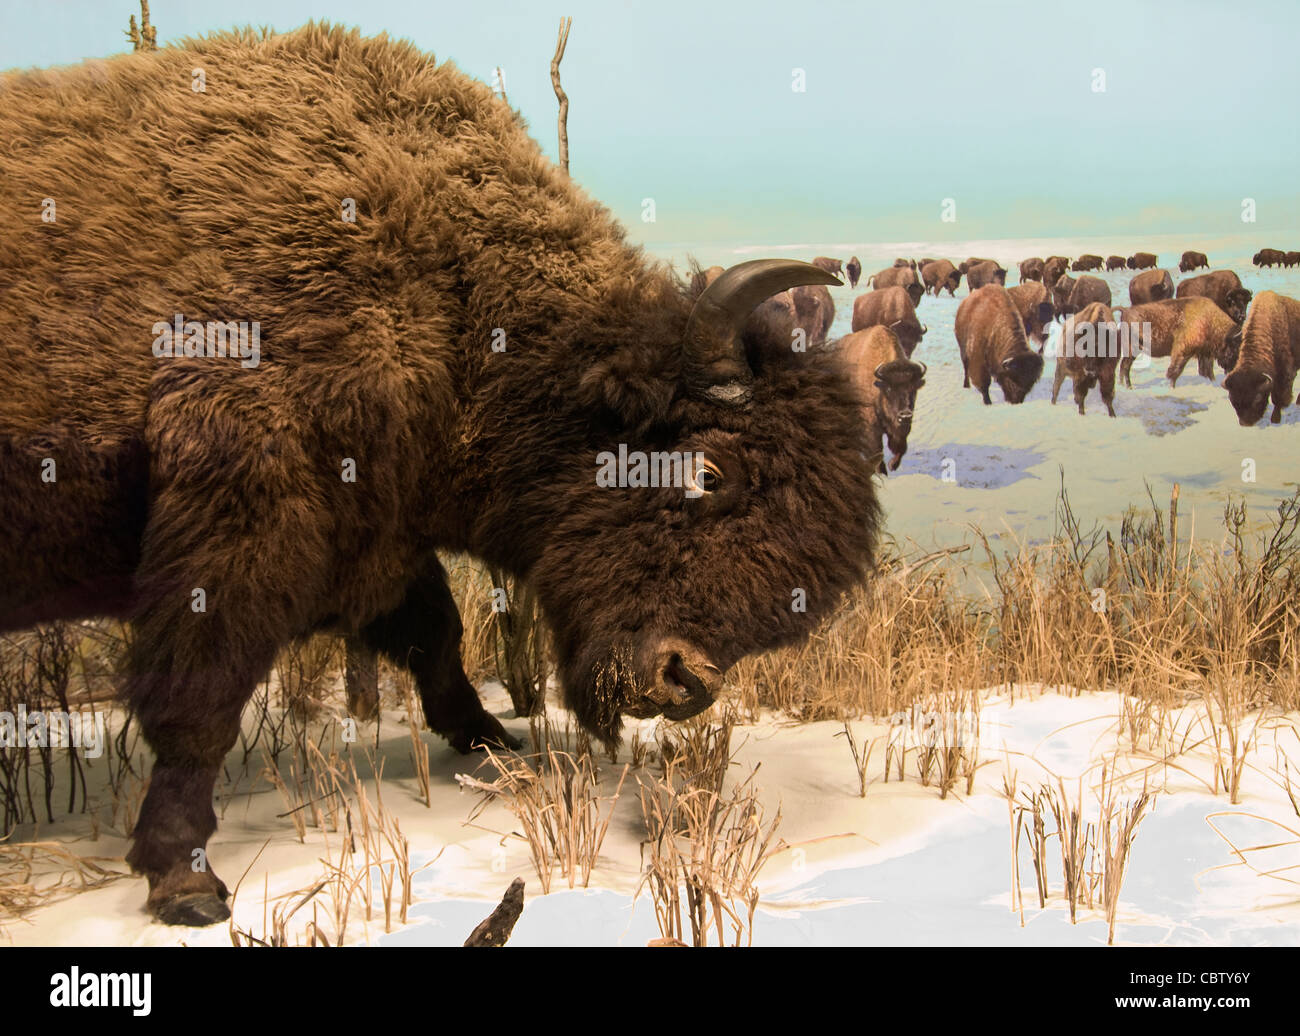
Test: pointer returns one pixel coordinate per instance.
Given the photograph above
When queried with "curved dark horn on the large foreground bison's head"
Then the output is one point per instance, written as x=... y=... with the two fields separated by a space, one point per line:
x=713 y=356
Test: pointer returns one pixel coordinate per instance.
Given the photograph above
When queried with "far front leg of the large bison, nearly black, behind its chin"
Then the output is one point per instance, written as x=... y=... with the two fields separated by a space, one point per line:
x=424 y=636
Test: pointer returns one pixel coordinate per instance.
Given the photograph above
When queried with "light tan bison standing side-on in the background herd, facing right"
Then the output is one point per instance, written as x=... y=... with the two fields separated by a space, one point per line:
x=1182 y=330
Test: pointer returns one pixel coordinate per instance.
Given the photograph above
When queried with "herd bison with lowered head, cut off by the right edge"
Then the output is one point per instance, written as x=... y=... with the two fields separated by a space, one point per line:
x=1268 y=361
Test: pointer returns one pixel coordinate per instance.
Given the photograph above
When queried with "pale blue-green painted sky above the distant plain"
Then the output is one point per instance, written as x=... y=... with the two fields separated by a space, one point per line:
x=905 y=105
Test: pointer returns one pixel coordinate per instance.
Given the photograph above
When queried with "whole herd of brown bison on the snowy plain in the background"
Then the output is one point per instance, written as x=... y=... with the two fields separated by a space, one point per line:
x=1003 y=332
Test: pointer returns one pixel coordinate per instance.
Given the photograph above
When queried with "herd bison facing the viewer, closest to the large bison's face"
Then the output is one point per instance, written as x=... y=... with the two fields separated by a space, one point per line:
x=889 y=383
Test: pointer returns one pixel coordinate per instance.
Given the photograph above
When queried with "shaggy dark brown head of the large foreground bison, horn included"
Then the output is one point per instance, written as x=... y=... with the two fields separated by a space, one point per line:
x=744 y=512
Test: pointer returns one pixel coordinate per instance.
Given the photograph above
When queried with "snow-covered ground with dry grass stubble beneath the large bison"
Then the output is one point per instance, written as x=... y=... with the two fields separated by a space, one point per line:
x=900 y=866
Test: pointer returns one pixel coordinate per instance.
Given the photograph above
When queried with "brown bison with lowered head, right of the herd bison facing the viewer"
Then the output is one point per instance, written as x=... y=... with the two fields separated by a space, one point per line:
x=991 y=340
